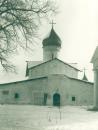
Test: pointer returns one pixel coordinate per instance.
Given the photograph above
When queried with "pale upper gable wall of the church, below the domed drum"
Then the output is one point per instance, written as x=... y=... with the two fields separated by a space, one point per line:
x=53 y=67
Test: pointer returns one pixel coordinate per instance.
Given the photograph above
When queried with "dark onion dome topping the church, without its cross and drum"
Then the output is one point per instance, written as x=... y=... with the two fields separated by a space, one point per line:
x=52 y=39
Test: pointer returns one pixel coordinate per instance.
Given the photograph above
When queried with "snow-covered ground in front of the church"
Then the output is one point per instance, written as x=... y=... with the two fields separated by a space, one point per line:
x=29 y=117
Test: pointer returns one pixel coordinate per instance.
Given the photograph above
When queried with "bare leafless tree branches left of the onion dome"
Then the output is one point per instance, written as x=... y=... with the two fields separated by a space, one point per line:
x=19 y=21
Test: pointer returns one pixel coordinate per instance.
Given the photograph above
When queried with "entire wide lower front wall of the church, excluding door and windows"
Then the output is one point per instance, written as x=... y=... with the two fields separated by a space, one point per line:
x=32 y=91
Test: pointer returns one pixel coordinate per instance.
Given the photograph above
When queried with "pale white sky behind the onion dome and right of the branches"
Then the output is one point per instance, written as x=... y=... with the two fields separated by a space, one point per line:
x=77 y=26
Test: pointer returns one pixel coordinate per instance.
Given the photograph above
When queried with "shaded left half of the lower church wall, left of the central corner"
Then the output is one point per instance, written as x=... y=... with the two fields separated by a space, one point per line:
x=26 y=91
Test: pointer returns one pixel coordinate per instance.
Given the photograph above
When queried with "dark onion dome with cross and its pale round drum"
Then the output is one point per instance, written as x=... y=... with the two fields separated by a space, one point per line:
x=51 y=45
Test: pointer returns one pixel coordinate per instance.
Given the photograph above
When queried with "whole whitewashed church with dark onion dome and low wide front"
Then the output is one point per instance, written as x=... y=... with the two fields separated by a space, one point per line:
x=50 y=82
